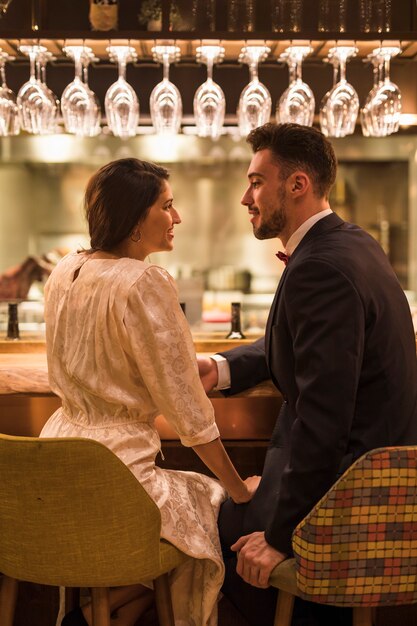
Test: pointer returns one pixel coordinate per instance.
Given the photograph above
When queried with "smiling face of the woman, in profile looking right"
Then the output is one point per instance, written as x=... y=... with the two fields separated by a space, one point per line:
x=157 y=229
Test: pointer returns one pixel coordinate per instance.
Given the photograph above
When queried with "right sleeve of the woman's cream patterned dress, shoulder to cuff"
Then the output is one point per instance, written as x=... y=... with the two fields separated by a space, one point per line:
x=163 y=351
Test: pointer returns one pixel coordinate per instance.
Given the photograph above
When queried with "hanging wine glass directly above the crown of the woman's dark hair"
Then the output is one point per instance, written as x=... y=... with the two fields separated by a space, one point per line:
x=121 y=102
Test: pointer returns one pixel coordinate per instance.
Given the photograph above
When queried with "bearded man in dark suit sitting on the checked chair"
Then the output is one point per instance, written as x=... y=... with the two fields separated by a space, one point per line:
x=339 y=345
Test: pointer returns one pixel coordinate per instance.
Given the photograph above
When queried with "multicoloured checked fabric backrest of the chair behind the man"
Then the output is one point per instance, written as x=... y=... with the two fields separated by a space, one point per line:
x=358 y=546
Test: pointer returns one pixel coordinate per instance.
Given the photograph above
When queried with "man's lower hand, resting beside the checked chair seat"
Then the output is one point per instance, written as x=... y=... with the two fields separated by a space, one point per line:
x=256 y=559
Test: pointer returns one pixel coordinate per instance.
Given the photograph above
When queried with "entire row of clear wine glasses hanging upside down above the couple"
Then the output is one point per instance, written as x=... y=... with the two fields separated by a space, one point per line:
x=36 y=108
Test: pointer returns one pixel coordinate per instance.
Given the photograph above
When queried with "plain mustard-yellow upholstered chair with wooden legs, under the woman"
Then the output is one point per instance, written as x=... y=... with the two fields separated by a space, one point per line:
x=72 y=514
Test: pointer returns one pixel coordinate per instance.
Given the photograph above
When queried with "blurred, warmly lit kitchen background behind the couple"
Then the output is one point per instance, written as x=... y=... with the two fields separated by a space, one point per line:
x=216 y=258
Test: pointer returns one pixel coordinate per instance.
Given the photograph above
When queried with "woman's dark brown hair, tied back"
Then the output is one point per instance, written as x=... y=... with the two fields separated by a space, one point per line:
x=118 y=197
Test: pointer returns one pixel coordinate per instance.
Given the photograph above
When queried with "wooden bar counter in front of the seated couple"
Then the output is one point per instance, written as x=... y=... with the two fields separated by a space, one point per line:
x=26 y=400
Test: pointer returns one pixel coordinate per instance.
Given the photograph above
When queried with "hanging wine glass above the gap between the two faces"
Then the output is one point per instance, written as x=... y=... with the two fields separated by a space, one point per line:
x=209 y=100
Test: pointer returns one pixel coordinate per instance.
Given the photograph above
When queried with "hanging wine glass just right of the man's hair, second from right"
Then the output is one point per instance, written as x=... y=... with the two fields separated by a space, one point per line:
x=341 y=103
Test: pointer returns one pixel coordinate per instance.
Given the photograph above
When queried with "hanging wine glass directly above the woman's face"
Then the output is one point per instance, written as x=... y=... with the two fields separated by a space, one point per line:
x=165 y=101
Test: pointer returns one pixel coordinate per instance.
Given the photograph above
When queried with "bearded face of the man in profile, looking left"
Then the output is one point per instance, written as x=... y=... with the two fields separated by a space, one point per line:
x=265 y=196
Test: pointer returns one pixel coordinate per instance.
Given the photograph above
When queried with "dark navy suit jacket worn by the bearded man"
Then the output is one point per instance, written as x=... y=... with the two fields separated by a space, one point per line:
x=340 y=347
